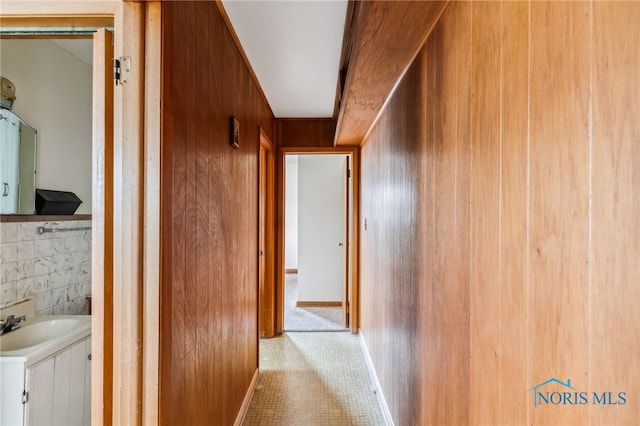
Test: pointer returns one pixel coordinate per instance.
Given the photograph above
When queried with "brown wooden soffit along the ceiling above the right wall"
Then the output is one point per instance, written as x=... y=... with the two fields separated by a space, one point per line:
x=386 y=38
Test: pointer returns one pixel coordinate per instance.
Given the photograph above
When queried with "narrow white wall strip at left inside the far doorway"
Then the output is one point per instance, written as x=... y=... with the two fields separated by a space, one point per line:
x=291 y=213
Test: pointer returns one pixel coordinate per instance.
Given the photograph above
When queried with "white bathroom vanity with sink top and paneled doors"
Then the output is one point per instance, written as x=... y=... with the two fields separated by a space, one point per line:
x=48 y=383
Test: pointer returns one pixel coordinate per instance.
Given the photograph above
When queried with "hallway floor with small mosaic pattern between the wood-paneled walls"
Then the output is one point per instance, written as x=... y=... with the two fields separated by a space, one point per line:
x=310 y=379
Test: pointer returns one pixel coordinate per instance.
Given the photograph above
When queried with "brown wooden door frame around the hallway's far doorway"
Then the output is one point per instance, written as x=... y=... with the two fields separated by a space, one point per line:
x=353 y=270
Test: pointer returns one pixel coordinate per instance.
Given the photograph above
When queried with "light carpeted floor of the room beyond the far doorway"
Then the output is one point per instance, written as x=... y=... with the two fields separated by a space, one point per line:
x=308 y=319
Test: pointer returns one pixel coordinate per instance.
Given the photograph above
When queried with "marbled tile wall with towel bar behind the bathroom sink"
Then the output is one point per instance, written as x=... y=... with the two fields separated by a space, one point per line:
x=52 y=268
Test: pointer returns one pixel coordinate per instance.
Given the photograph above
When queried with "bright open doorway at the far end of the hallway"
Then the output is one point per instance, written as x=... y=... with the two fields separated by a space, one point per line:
x=316 y=283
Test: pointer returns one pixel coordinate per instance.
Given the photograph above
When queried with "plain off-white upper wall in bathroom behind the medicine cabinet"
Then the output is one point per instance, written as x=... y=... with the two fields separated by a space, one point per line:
x=53 y=91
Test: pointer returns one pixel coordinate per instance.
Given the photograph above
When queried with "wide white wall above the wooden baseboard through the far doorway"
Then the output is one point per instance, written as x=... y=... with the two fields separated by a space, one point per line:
x=321 y=189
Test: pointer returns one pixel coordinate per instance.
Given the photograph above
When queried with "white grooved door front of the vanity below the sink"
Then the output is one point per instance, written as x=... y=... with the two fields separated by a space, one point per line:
x=58 y=389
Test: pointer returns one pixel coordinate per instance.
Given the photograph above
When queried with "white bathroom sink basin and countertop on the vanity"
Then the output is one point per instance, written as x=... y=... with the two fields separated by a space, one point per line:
x=39 y=331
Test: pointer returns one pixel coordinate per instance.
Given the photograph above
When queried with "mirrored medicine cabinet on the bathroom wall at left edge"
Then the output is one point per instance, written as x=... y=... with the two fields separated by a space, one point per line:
x=17 y=165
